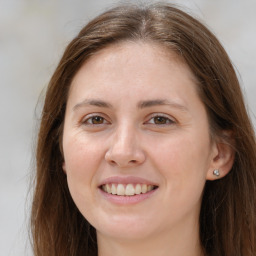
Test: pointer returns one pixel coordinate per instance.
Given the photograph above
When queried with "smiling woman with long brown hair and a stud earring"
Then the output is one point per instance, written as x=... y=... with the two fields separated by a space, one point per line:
x=145 y=145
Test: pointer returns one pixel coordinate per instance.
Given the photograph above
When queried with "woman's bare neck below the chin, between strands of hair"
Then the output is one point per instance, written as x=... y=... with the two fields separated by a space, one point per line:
x=164 y=244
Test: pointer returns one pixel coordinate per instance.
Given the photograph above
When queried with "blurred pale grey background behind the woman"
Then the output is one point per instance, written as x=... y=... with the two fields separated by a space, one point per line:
x=33 y=35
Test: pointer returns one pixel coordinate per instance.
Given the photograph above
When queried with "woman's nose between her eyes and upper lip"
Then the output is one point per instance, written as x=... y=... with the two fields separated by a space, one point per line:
x=124 y=150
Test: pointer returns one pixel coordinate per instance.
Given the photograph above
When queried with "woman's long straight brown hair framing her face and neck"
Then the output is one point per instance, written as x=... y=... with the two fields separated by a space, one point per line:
x=228 y=212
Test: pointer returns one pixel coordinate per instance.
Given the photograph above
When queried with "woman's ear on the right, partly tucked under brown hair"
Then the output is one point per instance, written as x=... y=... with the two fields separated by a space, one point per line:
x=222 y=158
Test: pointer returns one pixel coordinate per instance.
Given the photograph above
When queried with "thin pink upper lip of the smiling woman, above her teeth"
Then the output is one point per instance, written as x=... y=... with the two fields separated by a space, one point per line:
x=127 y=180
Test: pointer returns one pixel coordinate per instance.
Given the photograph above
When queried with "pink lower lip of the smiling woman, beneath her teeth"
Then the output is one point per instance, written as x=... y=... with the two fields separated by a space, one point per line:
x=126 y=200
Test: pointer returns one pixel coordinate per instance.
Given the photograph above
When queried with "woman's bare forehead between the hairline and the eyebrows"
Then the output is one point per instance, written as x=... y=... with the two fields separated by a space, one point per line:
x=124 y=75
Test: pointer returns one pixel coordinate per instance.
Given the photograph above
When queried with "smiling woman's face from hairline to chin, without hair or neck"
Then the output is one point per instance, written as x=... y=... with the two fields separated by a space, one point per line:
x=136 y=142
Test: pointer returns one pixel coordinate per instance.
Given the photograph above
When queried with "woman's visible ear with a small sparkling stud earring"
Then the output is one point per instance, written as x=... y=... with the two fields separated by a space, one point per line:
x=222 y=161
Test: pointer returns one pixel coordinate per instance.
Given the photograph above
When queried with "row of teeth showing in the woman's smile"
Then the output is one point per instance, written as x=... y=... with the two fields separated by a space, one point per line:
x=127 y=190
